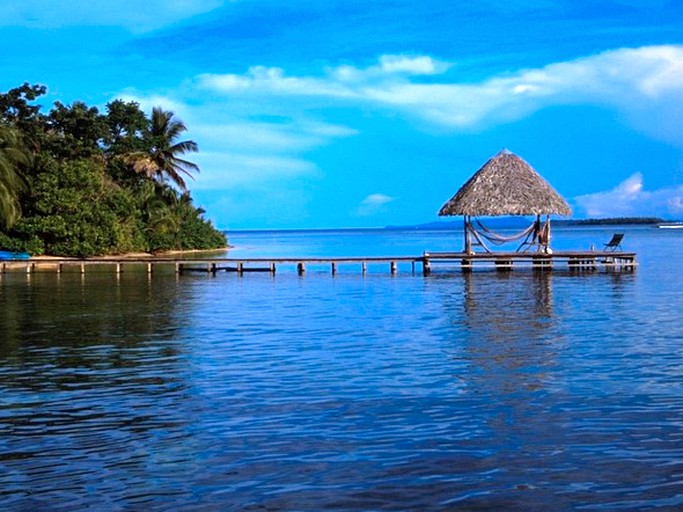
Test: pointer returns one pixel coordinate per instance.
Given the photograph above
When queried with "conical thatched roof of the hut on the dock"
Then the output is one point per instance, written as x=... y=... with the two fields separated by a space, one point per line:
x=506 y=185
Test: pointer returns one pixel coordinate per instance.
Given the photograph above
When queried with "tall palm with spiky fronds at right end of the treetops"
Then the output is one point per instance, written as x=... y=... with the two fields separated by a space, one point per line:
x=162 y=162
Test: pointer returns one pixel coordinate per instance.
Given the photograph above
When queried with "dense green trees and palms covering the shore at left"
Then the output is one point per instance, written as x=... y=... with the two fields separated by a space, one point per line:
x=78 y=182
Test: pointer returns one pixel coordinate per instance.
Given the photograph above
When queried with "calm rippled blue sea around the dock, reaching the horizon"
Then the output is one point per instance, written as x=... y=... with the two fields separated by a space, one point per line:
x=482 y=391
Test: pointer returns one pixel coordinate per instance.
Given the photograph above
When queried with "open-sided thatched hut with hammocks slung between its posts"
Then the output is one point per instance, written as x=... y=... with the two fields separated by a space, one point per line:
x=506 y=185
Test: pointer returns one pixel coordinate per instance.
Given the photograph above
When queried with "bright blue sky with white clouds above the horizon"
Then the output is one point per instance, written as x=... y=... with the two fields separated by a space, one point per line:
x=314 y=113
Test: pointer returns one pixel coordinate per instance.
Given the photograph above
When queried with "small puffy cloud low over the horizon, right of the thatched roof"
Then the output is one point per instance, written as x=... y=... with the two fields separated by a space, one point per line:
x=630 y=199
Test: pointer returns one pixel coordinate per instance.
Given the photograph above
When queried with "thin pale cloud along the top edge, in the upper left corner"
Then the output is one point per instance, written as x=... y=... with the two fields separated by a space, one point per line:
x=133 y=15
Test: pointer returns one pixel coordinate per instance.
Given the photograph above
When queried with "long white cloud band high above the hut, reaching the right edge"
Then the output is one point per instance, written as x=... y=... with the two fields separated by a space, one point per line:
x=644 y=83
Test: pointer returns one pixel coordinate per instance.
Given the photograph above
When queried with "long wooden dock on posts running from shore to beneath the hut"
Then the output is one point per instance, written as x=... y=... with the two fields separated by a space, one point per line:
x=578 y=261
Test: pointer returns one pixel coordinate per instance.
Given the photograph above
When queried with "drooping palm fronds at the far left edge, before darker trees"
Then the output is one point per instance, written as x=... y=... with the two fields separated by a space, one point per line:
x=13 y=155
